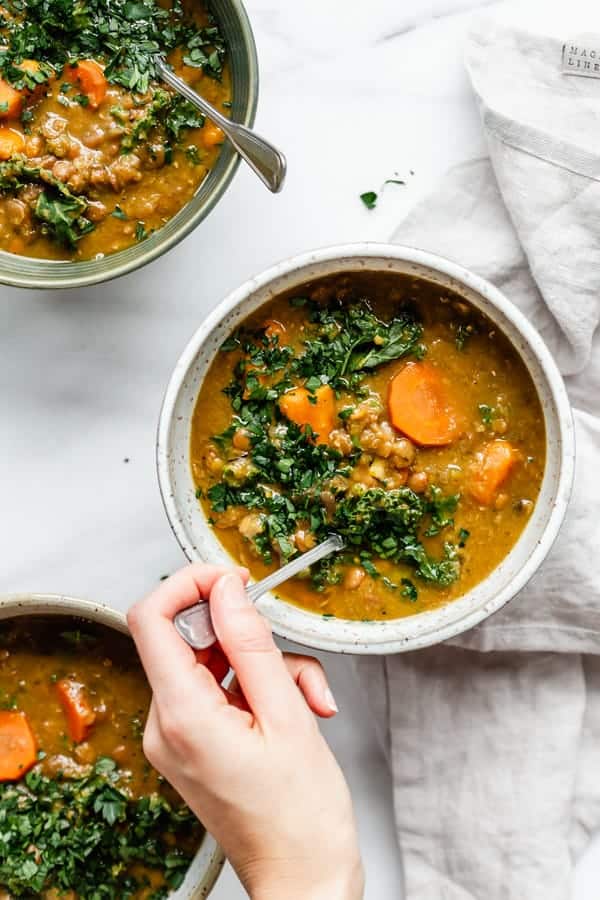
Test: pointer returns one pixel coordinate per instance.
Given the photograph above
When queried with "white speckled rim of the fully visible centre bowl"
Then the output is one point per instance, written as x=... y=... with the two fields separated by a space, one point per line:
x=340 y=635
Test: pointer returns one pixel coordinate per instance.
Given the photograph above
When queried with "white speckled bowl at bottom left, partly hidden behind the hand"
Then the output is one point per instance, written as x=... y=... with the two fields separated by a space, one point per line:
x=208 y=862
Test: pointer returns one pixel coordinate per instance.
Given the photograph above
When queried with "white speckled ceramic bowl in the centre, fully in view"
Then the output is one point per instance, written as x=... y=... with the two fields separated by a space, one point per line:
x=198 y=539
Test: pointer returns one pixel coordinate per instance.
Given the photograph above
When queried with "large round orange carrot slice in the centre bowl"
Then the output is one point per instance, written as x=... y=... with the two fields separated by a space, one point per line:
x=421 y=406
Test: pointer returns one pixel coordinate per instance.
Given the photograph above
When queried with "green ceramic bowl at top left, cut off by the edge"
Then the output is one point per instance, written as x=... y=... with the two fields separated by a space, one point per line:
x=22 y=271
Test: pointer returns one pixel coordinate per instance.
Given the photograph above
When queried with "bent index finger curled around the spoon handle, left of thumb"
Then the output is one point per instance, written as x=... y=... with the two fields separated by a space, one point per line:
x=168 y=661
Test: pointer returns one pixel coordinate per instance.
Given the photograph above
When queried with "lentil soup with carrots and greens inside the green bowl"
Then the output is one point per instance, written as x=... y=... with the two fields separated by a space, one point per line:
x=96 y=153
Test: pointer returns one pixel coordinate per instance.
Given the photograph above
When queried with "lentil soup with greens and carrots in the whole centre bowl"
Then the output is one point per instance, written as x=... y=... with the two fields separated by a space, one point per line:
x=385 y=408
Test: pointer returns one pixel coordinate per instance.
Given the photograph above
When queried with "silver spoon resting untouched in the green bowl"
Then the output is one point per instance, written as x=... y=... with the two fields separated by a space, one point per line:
x=266 y=160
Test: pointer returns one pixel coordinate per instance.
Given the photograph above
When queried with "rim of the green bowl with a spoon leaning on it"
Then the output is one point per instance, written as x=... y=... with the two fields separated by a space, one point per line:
x=33 y=273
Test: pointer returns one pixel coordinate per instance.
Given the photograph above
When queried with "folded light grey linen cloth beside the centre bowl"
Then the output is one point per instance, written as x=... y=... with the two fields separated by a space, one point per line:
x=496 y=755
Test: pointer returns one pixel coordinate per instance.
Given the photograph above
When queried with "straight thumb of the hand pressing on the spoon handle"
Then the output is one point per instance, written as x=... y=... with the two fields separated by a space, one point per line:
x=245 y=638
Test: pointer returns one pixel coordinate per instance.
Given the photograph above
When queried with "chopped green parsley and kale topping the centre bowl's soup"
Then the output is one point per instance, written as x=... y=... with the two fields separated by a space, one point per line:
x=281 y=479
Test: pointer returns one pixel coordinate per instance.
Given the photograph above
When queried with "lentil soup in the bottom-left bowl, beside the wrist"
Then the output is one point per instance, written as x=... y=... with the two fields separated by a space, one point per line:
x=73 y=703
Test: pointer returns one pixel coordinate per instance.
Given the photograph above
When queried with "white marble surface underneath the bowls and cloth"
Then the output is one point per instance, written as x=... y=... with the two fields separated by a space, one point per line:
x=354 y=93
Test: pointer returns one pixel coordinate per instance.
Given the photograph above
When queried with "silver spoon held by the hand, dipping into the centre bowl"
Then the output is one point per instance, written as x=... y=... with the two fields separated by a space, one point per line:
x=194 y=625
